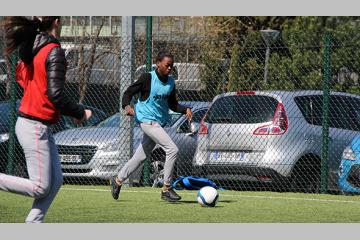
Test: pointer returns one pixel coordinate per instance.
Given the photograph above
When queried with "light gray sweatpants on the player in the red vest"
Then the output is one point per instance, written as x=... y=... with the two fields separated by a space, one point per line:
x=43 y=165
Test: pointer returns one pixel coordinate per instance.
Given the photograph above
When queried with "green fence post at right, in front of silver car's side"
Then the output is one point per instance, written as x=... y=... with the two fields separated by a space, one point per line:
x=325 y=114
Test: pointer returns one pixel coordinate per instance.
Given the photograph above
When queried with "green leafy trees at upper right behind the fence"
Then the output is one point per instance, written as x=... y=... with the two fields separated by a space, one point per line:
x=296 y=59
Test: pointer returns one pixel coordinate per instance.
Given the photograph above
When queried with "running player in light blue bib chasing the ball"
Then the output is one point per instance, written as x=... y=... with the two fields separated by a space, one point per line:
x=157 y=90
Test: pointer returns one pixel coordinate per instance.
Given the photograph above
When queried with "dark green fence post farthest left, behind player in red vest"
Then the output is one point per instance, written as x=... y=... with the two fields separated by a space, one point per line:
x=11 y=142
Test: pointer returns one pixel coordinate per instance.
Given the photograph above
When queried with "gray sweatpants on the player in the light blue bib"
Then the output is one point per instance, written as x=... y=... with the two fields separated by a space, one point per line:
x=153 y=134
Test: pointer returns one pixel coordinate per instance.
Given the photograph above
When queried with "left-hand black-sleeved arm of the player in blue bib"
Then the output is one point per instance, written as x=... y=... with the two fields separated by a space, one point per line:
x=139 y=86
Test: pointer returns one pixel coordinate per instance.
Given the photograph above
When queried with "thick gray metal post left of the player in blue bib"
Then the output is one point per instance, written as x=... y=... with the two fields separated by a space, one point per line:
x=127 y=60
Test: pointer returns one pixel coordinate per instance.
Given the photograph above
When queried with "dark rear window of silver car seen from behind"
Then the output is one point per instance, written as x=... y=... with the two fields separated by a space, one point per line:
x=245 y=109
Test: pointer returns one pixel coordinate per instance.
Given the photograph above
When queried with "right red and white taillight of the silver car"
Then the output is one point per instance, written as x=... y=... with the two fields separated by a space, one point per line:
x=279 y=125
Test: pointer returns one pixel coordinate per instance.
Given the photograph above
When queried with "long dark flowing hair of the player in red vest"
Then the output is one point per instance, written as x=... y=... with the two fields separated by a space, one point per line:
x=21 y=32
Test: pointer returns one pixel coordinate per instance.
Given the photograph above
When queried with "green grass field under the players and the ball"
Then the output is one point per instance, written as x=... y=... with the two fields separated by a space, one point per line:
x=94 y=204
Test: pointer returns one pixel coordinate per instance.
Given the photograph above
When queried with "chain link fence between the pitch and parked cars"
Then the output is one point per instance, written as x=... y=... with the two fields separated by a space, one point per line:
x=263 y=117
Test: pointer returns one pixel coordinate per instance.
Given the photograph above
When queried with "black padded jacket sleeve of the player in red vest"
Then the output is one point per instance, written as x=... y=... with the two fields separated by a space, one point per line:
x=55 y=71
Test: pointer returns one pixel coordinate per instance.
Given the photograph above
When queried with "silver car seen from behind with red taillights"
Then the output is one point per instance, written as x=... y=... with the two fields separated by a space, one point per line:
x=274 y=137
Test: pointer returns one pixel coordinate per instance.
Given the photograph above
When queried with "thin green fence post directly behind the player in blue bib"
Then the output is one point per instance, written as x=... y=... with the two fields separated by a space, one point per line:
x=148 y=68
